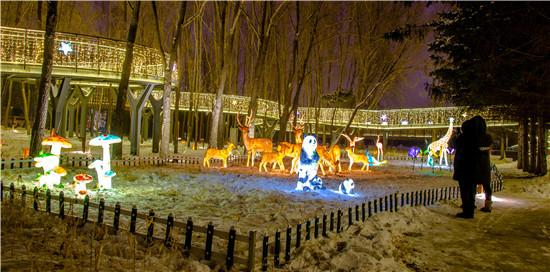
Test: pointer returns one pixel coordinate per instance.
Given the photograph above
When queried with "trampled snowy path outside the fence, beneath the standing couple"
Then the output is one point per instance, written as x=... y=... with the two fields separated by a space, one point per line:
x=514 y=237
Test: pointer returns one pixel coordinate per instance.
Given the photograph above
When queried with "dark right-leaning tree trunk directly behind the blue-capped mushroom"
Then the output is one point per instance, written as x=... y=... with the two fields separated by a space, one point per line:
x=122 y=94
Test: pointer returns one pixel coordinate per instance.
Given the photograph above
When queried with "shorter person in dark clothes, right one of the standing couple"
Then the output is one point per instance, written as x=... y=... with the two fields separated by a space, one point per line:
x=482 y=158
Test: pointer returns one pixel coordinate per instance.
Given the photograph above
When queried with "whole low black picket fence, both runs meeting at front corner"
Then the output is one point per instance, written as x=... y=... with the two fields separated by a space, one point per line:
x=275 y=249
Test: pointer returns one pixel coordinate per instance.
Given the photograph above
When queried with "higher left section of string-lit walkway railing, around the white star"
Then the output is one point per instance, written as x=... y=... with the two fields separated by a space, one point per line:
x=89 y=54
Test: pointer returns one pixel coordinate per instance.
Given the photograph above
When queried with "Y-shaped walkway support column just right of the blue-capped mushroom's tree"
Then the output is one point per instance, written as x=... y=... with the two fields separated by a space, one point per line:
x=136 y=106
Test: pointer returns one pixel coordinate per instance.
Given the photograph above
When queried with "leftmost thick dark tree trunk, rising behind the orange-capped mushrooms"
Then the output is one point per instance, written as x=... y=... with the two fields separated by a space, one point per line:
x=45 y=80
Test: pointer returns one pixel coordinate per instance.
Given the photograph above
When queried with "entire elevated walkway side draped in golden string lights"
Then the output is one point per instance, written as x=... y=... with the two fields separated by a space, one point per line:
x=92 y=62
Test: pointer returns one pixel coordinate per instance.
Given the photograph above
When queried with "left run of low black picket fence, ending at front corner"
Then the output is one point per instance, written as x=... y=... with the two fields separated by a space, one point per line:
x=44 y=202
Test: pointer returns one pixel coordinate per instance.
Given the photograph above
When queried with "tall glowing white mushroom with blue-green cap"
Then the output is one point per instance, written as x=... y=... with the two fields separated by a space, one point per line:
x=103 y=167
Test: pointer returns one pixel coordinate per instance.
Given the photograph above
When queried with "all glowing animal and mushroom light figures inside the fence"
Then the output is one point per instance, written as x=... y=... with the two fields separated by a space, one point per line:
x=306 y=155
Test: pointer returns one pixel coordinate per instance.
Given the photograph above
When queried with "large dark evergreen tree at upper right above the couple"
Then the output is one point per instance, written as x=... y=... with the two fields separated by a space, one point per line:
x=495 y=54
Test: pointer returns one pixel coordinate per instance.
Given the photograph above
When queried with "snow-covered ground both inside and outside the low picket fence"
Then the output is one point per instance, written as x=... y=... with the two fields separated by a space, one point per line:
x=514 y=237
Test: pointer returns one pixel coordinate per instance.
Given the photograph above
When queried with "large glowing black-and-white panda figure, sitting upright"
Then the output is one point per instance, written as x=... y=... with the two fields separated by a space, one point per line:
x=307 y=166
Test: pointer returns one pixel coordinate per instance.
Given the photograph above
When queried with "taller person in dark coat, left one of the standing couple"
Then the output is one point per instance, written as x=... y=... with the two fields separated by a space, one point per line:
x=464 y=166
